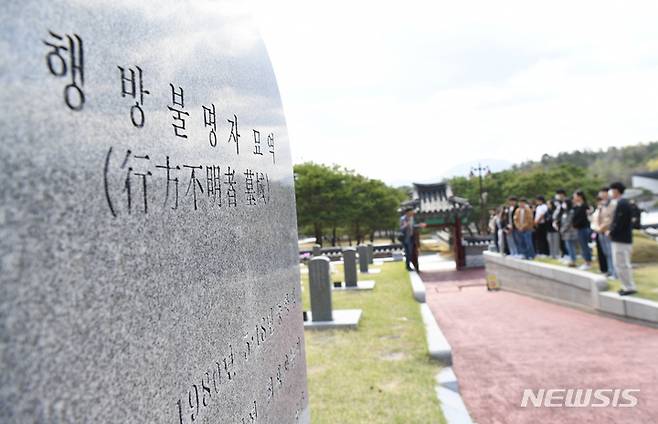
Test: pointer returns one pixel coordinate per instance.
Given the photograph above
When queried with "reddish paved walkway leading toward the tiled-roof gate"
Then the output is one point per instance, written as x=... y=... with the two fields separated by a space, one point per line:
x=503 y=343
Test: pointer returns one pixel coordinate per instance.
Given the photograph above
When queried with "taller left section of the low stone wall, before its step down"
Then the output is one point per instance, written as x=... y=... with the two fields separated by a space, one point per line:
x=552 y=282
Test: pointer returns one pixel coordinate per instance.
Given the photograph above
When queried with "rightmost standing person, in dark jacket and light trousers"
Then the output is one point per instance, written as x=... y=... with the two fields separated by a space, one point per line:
x=621 y=237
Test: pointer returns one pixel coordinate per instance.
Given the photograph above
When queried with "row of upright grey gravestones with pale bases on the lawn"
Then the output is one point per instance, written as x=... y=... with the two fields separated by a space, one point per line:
x=322 y=314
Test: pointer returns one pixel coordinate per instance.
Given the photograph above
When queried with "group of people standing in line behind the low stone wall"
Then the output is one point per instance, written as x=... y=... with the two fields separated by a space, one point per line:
x=564 y=225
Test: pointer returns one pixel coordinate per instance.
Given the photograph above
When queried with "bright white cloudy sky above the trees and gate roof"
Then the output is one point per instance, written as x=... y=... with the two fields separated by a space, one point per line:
x=419 y=90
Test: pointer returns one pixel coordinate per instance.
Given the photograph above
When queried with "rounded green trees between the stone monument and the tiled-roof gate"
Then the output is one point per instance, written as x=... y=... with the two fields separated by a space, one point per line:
x=333 y=201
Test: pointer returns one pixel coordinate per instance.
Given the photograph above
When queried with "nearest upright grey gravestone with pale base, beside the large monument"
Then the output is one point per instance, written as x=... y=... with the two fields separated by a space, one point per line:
x=322 y=316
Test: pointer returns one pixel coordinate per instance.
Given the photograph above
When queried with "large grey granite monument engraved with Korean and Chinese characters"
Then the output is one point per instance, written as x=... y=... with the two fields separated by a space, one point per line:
x=148 y=244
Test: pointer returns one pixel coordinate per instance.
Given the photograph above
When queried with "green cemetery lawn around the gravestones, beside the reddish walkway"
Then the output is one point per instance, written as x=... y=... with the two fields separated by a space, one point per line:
x=381 y=372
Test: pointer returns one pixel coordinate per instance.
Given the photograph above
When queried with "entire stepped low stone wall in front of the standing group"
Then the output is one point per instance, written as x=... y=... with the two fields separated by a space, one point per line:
x=566 y=285
